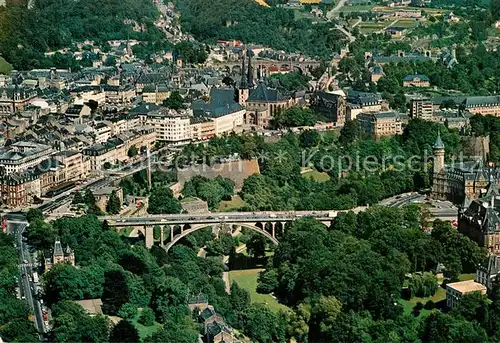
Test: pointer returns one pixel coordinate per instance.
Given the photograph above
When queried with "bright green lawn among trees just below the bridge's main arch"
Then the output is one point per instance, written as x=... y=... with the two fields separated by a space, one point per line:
x=247 y=279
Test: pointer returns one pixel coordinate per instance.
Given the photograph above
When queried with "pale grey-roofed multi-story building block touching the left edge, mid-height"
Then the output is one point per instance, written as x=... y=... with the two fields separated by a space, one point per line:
x=23 y=155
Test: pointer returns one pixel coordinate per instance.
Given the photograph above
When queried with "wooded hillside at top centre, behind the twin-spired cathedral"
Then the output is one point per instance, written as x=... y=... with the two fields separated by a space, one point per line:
x=247 y=21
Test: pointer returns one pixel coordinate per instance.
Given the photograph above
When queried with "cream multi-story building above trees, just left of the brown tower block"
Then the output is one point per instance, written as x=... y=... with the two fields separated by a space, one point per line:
x=377 y=125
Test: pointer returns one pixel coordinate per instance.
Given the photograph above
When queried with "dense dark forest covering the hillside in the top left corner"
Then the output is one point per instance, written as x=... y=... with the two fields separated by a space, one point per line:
x=25 y=34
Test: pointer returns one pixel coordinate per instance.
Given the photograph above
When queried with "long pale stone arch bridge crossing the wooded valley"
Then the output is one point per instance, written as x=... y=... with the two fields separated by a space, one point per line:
x=269 y=224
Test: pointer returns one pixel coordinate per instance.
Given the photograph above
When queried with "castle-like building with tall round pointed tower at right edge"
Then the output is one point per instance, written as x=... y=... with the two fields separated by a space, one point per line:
x=461 y=181
